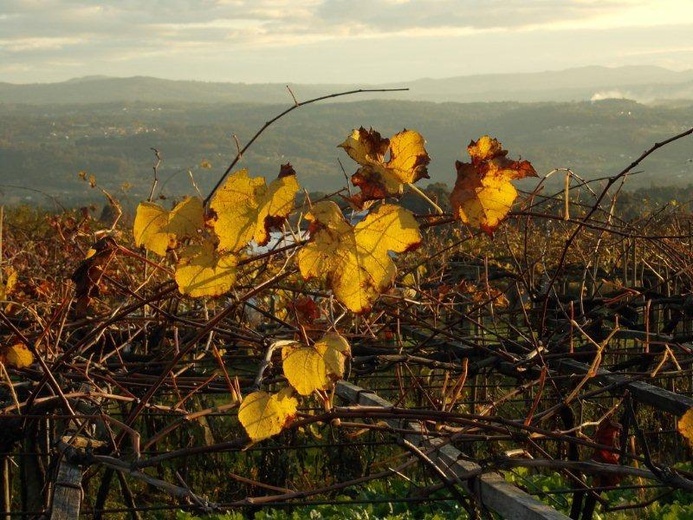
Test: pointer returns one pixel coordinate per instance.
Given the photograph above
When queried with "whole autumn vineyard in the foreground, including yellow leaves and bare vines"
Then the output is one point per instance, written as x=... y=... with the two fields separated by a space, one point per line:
x=253 y=353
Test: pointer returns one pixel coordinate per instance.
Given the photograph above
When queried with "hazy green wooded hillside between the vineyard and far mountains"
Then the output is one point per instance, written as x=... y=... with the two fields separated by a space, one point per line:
x=42 y=148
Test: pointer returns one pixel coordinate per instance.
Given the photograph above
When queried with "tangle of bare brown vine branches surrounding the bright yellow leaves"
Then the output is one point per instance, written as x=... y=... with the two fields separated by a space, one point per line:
x=563 y=345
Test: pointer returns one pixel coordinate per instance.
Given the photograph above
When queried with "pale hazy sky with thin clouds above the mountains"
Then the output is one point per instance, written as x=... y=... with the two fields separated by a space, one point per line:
x=335 y=41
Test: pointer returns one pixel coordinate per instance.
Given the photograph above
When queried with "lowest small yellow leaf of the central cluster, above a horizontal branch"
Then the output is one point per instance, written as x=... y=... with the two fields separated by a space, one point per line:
x=264 y=415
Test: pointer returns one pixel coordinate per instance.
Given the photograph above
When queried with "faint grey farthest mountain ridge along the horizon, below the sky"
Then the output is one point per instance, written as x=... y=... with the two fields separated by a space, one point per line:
x=645 y=84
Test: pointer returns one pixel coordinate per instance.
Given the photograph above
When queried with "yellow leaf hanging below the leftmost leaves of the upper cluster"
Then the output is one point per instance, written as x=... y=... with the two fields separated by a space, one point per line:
x=202 y=271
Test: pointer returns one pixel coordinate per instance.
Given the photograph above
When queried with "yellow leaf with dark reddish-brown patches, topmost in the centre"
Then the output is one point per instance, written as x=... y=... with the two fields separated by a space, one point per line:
x=379 y=178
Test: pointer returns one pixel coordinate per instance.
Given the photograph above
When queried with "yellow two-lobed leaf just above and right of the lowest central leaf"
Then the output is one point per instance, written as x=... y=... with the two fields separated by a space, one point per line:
x=316 y=367
